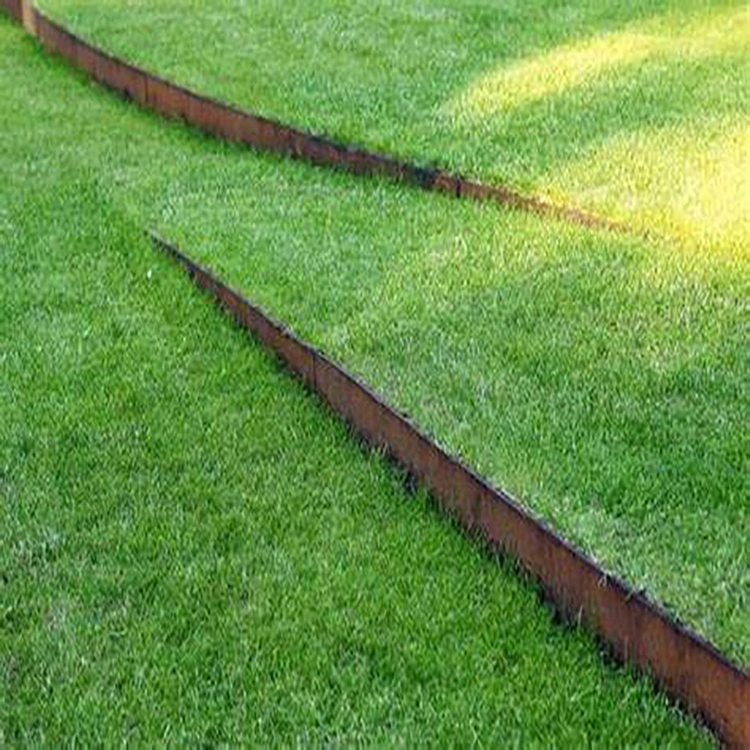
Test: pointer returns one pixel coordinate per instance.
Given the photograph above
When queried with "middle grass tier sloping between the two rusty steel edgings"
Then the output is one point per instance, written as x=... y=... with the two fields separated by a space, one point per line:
x=601 y=379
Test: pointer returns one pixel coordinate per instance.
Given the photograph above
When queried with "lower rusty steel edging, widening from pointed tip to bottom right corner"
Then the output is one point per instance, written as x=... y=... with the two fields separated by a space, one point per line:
x=638 y=631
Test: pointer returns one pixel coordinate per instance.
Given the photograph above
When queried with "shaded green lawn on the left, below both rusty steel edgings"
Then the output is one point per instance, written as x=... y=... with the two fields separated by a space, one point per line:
x=191 y=547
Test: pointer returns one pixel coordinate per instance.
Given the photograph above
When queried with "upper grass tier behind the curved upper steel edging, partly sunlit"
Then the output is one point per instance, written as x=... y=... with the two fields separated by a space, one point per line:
x=636 y=110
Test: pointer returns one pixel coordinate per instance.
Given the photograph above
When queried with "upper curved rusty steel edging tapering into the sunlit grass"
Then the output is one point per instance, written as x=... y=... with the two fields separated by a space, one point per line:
x=232 y=124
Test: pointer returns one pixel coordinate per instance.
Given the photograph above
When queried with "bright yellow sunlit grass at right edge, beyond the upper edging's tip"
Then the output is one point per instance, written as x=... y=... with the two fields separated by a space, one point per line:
x=703 y=204
